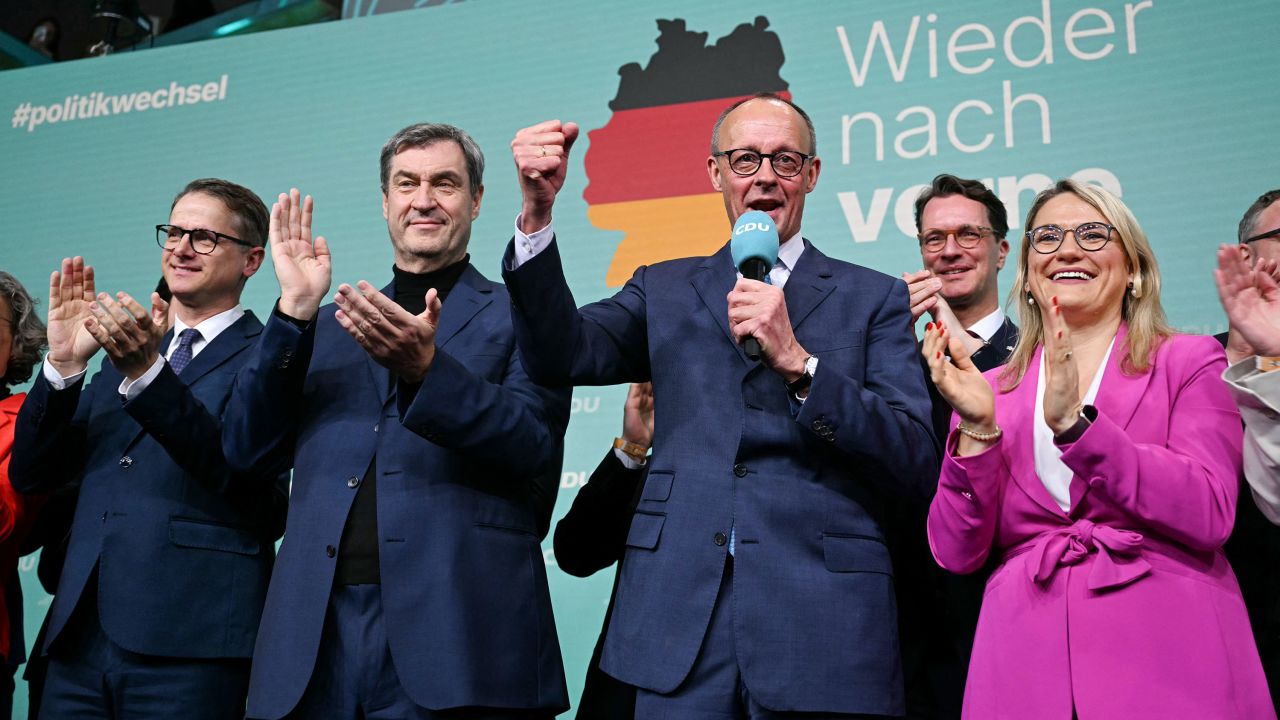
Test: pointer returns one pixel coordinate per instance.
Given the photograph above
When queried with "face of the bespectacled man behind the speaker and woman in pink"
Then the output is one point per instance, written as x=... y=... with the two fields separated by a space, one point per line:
x=970 y=276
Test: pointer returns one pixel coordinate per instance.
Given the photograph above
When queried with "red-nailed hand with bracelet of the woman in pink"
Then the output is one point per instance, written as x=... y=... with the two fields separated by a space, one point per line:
x=961 y=384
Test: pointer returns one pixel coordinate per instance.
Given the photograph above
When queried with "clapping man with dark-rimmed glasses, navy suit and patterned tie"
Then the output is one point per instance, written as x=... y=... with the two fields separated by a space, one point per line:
x=170 y=552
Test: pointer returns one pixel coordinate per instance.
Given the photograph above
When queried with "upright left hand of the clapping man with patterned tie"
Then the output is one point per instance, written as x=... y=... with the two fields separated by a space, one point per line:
x=71 y=298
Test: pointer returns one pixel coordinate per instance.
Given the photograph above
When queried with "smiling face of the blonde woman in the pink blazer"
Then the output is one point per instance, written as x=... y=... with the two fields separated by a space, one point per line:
x=1090 y=286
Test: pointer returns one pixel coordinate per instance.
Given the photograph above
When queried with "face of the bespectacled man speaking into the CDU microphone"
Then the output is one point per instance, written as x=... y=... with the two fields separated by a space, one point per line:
x=765 y=126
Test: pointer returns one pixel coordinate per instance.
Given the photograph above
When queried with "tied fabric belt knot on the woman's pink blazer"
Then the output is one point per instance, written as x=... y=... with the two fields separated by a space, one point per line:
x=1119 y=553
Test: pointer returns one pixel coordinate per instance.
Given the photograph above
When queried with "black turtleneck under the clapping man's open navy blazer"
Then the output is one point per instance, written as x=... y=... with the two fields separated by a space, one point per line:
x=358 y=554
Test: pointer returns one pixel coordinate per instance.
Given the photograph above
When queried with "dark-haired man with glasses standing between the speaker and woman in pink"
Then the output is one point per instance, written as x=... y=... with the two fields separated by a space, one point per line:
x=961 y=226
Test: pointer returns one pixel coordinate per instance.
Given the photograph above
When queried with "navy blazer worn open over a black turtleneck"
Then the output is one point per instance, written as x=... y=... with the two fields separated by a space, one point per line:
x=468 y=471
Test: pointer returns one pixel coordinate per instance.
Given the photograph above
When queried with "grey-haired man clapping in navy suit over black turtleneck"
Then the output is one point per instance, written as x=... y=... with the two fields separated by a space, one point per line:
x=426 y=467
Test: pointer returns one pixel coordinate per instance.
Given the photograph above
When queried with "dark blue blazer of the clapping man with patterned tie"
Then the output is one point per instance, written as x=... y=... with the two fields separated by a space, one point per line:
x=184 y=546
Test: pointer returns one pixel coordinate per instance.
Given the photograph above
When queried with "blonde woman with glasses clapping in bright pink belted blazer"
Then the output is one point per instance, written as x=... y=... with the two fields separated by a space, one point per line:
x=1101 y=468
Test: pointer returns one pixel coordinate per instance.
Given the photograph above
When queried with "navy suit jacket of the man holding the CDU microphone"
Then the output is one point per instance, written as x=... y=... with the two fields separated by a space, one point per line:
x=803 y=486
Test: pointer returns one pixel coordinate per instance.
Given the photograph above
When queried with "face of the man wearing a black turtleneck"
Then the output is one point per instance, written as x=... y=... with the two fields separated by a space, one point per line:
x=429 y=207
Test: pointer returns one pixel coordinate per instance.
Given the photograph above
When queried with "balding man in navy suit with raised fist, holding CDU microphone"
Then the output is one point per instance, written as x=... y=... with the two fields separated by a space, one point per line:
x=756 y=581
